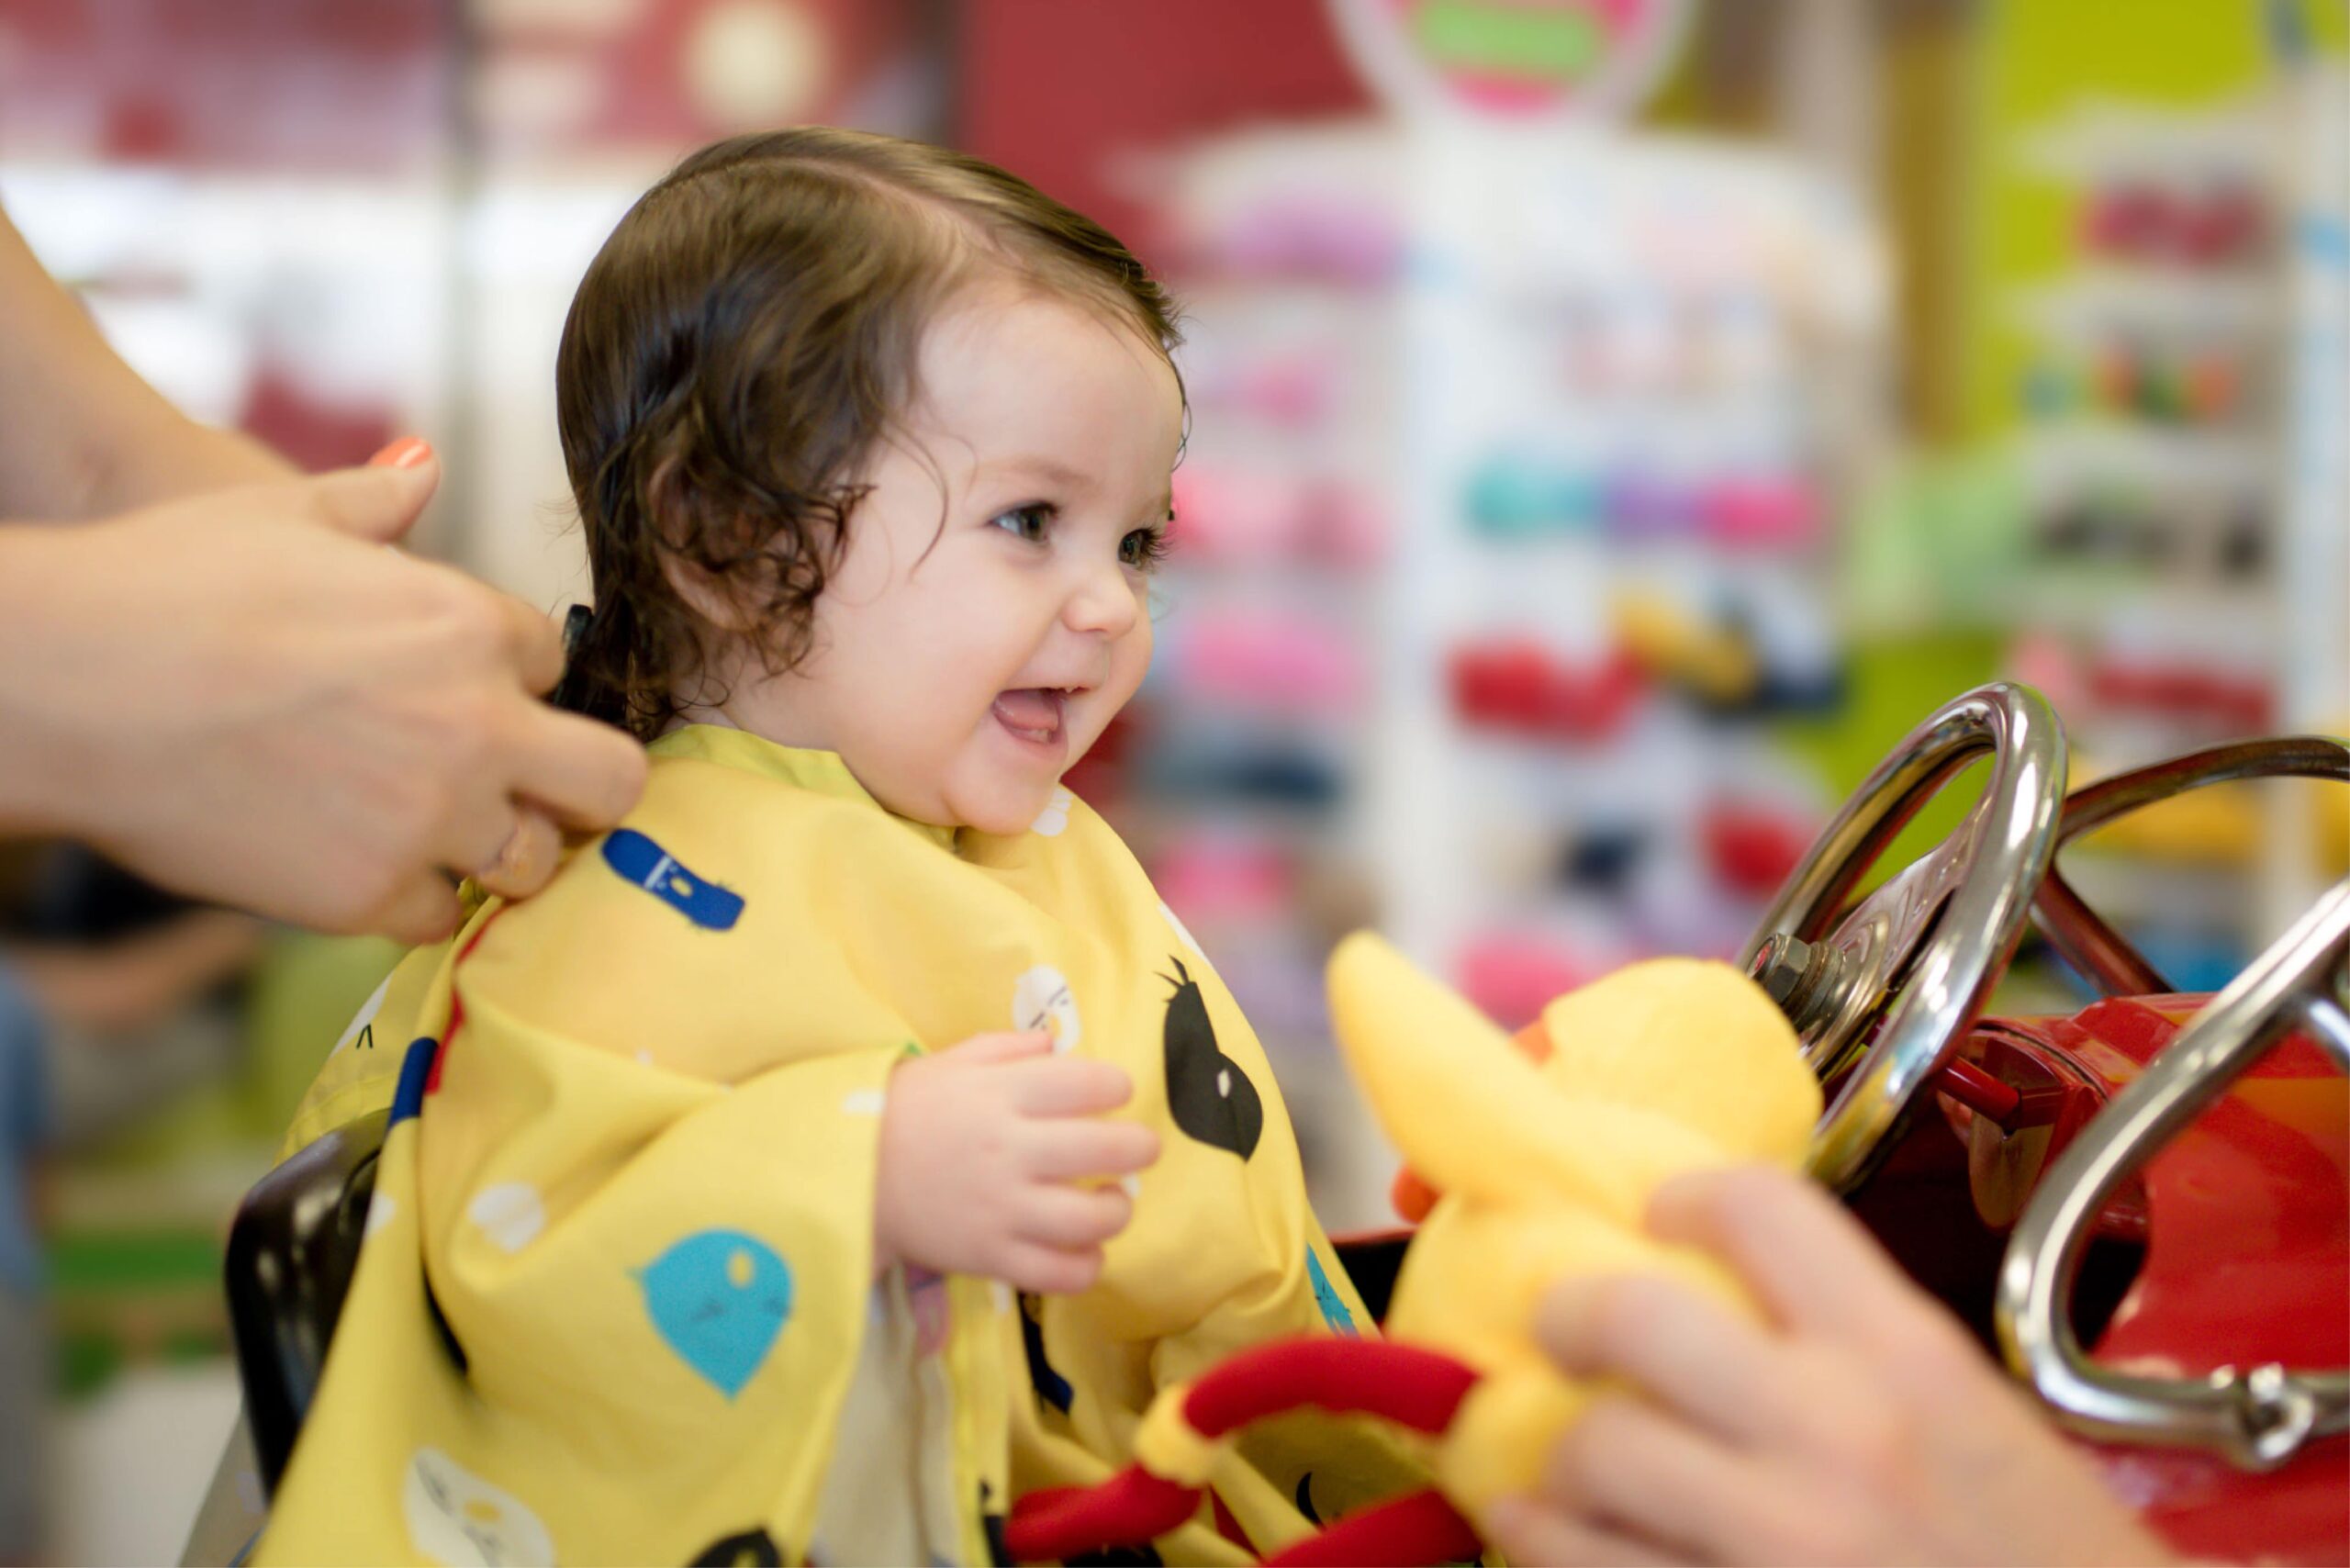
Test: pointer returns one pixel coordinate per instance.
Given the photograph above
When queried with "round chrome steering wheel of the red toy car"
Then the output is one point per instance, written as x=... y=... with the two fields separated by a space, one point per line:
x=1888 y=989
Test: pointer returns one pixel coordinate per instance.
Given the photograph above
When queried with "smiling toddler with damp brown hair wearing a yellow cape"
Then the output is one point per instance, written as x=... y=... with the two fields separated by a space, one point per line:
x=852 y=1141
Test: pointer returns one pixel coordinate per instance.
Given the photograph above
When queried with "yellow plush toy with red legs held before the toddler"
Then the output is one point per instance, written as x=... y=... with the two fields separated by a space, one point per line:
x=1545 y=1151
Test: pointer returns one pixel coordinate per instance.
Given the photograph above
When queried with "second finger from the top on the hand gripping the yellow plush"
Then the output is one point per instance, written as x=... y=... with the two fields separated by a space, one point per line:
x=1717 y=1367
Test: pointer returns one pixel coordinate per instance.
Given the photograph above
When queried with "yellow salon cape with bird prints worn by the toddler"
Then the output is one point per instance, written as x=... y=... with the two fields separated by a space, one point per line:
x=617 y=1296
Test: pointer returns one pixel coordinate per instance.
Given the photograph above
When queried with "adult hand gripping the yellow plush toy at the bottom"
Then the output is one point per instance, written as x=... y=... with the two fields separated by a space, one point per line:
x=1860 y=1426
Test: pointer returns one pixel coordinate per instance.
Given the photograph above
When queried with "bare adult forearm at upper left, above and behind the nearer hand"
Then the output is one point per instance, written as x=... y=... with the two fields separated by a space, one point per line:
x=81 y=434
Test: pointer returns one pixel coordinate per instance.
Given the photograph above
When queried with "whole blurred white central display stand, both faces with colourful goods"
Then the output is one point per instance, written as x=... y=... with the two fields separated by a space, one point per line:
x=1505 y=485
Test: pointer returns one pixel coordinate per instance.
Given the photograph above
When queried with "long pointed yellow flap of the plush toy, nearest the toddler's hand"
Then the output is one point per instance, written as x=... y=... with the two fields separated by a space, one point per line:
x=1472 y=1113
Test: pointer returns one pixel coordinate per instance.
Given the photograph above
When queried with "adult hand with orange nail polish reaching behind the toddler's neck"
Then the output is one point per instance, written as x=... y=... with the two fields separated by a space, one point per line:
x=246 y=697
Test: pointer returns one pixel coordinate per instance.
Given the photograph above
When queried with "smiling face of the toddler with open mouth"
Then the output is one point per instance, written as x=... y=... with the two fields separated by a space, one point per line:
x=991 y=610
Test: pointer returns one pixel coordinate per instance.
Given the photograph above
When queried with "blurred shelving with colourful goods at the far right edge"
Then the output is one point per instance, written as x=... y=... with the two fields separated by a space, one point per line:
x=2180 y=441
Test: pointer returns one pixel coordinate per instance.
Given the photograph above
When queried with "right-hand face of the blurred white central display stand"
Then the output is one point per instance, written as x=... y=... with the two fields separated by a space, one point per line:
x=1623 y=492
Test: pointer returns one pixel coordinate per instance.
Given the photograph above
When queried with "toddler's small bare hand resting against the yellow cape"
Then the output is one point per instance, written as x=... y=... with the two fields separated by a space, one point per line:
x=981 y=1155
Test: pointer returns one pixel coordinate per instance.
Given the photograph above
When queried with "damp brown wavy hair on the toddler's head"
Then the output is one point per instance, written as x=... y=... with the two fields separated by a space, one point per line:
x=734 y=356
